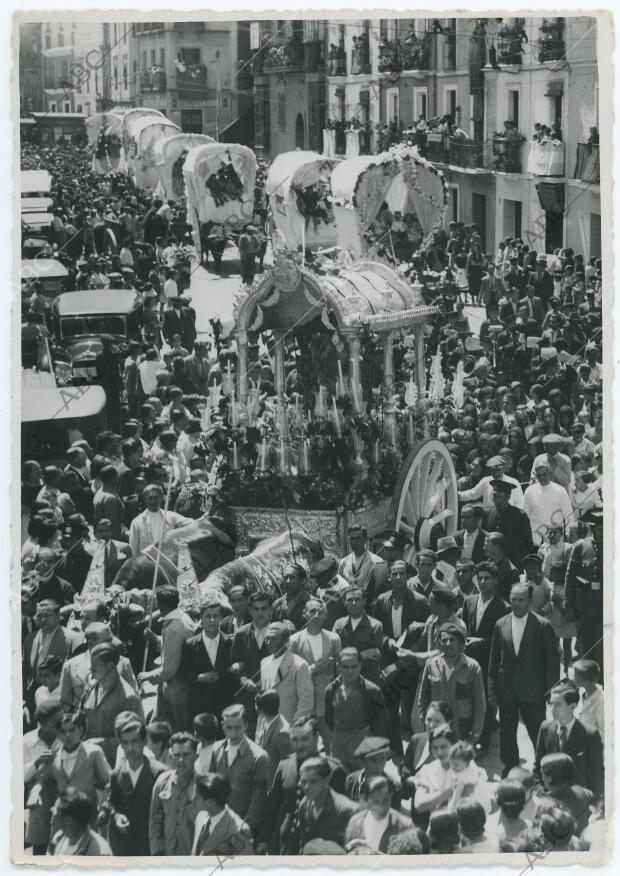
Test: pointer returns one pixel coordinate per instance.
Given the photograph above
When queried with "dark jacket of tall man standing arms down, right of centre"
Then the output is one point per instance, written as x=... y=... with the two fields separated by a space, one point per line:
x=530 y=675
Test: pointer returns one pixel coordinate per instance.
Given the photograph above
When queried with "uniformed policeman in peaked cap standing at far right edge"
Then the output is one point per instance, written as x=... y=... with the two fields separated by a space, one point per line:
x=584 y=587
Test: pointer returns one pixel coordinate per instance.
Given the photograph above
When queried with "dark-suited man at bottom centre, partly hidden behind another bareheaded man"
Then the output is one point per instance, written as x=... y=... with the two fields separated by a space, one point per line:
x=277 y=832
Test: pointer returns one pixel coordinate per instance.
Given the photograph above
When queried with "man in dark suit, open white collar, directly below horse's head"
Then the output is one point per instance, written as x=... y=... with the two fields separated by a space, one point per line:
x=205 y=663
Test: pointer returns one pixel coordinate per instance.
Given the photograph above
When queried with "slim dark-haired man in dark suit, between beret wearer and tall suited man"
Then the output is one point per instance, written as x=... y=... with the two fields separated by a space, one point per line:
x=480 y=613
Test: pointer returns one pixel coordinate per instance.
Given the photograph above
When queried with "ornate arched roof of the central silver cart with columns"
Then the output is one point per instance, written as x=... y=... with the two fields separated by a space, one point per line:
x=368 y=294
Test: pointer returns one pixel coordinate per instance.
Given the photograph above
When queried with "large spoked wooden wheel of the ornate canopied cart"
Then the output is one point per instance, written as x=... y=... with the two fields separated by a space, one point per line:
x=425 y=504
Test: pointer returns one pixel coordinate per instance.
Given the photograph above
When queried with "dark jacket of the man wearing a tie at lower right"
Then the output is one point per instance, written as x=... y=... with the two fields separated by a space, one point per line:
x=585 y=748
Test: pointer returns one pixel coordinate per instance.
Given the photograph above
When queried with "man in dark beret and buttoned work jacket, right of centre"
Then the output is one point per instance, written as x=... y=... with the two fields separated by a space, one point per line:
x=455 y=679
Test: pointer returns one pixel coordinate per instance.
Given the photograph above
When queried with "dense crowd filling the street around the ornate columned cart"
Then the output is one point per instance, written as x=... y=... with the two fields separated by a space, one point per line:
x=443 y=700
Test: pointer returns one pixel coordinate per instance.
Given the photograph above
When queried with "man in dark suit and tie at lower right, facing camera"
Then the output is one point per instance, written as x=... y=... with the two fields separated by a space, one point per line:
x=566 y=734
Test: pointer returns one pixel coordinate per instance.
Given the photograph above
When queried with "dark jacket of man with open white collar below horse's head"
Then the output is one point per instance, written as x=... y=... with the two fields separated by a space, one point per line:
x=210 y=697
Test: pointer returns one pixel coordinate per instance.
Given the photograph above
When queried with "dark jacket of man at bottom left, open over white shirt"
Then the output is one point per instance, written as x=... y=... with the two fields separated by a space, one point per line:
x=135 y=804
